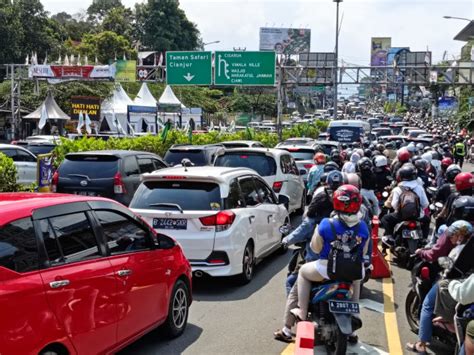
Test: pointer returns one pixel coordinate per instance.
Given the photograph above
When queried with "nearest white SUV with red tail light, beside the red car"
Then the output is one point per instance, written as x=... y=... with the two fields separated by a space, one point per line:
x=226 y=219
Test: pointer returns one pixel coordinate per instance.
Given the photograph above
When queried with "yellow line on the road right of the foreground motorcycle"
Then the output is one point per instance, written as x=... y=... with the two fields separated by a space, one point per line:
x=390 y=315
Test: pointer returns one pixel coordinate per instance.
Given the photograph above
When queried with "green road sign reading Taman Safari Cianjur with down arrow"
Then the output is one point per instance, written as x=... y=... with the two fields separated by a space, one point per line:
x=188 y=68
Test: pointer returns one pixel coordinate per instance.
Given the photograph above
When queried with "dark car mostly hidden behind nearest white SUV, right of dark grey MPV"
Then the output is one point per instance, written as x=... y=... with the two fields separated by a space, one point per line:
x=199 y=155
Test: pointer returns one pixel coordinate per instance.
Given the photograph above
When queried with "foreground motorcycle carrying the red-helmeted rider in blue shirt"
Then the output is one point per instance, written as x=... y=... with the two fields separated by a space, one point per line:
x=334 y=315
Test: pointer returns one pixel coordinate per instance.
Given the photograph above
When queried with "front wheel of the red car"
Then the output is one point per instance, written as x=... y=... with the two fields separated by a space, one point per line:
x=178 y=310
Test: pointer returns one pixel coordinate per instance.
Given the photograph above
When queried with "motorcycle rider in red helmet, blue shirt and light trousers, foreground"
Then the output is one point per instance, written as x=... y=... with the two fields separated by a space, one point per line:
x=346 y=202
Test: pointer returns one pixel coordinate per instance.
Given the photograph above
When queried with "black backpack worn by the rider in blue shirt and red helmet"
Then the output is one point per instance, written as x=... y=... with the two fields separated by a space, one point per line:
x=345 y=257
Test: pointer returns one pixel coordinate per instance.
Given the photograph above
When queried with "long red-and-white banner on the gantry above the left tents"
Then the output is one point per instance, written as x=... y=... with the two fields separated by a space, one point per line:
x=105 y=72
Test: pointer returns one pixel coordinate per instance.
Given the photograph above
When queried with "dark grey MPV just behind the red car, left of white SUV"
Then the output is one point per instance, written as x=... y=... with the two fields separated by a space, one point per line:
x=109 y=173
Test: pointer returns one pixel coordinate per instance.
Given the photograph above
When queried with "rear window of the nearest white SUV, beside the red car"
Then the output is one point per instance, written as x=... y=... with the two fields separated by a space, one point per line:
x=188 y=195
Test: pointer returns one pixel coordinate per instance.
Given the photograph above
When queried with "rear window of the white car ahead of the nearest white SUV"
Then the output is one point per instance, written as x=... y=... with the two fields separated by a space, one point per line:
x=262 y=164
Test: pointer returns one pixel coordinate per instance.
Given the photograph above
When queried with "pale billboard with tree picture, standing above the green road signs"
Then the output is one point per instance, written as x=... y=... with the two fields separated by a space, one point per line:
x=285 y=40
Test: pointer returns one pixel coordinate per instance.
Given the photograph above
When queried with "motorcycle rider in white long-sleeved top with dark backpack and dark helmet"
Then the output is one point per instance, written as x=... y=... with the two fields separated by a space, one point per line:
x=409 y=181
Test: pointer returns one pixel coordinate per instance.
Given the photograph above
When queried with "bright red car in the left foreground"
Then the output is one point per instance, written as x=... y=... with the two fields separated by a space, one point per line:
x=84 y=275
